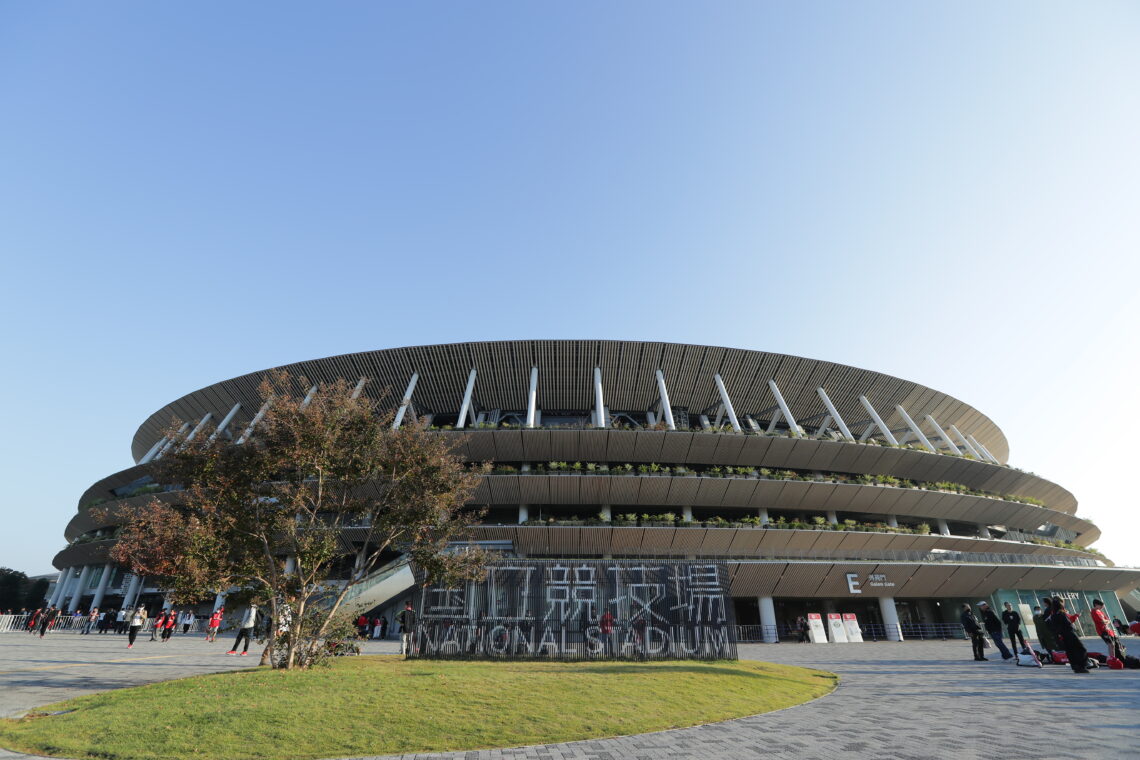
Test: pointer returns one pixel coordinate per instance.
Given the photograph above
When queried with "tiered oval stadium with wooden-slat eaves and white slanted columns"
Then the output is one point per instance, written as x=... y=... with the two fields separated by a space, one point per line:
x=824 y=488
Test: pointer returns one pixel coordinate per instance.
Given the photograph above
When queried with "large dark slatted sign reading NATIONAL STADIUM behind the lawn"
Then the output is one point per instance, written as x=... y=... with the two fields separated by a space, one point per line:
x=582 y=610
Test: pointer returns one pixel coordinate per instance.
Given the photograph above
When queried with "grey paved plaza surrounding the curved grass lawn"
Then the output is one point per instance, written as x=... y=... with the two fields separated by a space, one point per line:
x=898 y=701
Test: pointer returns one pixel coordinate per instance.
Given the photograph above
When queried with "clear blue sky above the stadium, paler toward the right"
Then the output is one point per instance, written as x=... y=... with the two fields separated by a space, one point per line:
x=947 y=193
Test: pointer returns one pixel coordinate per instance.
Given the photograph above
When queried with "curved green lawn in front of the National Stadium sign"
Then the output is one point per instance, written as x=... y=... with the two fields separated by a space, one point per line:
x=386 y=705
